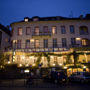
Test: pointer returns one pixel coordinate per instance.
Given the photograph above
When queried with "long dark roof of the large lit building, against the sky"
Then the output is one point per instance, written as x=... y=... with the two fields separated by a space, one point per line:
x=55 y=18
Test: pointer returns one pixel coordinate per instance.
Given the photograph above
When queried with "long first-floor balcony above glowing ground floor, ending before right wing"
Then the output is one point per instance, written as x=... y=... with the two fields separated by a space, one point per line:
x=41 y=48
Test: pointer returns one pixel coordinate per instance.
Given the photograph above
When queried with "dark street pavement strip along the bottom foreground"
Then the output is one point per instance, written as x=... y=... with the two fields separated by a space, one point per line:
x=19 y=84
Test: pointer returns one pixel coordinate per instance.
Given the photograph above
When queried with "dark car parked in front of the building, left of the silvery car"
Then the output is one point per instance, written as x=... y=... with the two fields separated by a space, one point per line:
x=56 y=77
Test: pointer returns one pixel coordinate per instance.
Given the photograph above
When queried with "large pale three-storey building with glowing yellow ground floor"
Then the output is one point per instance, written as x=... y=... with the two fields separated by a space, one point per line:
x=56 y=36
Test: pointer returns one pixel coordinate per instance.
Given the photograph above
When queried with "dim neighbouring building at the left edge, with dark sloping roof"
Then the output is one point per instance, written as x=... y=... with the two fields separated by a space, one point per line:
x=5 y=37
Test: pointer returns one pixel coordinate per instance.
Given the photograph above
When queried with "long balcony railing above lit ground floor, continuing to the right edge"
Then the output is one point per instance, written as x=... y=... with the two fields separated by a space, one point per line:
x=50 y=48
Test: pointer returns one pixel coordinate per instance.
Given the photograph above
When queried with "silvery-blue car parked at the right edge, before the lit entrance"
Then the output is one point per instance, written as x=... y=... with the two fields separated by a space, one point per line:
x=80 y=77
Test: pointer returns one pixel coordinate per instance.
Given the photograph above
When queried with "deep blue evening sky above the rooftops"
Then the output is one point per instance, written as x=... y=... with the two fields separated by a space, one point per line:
x=15 y=10
